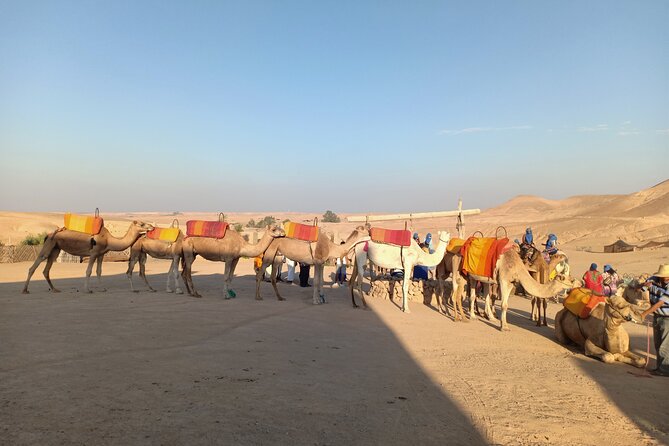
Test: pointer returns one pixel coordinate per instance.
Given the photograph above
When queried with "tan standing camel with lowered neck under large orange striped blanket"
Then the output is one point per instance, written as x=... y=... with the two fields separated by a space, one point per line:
x=509 y=269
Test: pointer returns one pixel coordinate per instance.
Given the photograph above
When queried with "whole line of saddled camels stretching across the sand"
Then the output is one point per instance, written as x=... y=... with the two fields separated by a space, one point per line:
x=492 y=262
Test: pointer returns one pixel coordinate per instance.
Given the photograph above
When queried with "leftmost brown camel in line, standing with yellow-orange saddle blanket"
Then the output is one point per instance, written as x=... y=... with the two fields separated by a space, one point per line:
x=84 y=245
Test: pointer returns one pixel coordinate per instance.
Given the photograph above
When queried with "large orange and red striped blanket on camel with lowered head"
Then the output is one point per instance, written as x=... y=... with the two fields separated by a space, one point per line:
x=480 y=254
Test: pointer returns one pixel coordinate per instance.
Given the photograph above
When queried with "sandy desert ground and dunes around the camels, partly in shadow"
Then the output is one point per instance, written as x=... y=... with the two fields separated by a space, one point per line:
x=118 y=367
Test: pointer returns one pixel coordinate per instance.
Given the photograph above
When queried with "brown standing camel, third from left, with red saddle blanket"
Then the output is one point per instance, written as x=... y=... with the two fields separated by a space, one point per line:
x=228 y=249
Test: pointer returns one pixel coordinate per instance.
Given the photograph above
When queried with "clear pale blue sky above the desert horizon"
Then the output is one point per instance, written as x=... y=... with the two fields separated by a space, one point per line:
x=311 y=105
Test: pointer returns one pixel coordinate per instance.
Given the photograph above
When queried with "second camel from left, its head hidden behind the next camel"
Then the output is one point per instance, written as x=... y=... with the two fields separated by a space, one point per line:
x=158 y=249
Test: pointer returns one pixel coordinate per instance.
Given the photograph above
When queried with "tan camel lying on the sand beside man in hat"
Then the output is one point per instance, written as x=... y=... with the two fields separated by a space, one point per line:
x=602 y=334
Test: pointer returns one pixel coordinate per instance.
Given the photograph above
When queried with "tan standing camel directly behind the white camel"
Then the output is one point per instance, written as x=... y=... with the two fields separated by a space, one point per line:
x=316 y=253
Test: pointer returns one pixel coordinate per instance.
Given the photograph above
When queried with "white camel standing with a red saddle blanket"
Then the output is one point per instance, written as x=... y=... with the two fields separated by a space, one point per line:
x=392 y=256
